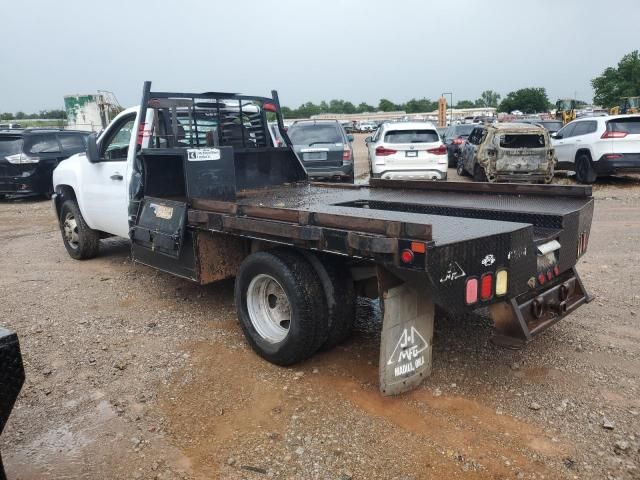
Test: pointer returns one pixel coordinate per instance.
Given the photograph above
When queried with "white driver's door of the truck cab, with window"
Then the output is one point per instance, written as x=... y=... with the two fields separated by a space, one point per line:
x=105 y=183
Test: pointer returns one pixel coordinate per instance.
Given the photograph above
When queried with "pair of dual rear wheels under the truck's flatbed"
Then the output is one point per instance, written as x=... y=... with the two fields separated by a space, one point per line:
x=291 y=305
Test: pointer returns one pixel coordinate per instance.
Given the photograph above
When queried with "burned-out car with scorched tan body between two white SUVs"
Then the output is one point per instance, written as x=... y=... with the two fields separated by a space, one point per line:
x=508 y=152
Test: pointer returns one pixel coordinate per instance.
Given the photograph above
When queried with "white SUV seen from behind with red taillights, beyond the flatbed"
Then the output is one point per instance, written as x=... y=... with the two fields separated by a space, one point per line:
x=407 y=151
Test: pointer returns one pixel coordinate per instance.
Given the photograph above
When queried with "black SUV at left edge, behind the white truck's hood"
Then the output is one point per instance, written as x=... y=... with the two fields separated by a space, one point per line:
x=28 y=157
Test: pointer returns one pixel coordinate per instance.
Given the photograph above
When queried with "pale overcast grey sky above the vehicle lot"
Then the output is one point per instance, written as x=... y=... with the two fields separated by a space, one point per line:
x=308 y=50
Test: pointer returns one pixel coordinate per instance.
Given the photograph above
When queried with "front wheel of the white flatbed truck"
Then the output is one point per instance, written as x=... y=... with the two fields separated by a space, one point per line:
x=79 y=239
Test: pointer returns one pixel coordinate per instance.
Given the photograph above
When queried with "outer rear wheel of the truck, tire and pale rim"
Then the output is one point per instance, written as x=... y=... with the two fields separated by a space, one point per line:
x=281 y=306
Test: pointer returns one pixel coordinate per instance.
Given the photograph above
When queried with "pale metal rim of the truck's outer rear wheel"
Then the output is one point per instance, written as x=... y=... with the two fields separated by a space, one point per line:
x=269 y=309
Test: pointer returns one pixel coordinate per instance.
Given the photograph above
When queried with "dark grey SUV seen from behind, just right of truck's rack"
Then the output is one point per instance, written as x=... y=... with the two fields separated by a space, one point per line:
x=324 y=148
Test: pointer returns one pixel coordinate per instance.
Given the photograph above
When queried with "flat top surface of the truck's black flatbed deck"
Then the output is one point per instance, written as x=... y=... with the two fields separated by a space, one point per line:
x=451 y=215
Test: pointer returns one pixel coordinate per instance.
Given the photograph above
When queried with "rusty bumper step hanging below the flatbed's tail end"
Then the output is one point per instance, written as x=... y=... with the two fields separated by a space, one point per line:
x=518 y=320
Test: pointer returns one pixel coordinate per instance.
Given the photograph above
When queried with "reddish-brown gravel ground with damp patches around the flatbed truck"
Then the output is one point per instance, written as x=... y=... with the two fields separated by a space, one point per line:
x=132 y=373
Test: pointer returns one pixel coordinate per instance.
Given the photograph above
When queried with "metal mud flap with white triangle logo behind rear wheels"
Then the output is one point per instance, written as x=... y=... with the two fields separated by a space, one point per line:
x=407 y=334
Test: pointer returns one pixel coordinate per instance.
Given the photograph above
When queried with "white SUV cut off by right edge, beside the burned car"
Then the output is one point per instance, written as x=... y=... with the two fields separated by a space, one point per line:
x=595 y=146
